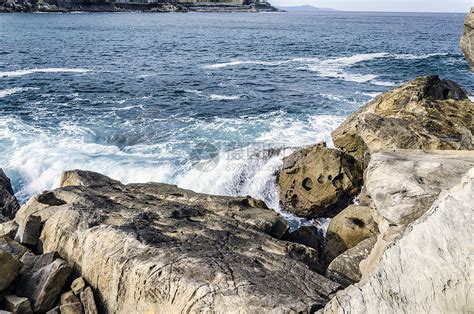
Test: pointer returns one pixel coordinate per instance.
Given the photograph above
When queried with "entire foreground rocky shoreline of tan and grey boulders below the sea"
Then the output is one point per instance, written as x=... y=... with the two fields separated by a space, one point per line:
x=399 y=187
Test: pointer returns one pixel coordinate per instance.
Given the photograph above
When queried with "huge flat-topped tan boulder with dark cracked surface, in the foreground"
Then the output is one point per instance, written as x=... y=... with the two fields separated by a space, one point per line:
x=154 y=247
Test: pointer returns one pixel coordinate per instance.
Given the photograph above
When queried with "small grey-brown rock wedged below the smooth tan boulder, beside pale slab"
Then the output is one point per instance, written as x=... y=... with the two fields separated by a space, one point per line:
x=344 y=269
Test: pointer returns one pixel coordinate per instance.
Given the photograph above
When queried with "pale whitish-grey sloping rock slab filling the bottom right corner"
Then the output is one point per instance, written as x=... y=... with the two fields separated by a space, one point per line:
x=429 y=270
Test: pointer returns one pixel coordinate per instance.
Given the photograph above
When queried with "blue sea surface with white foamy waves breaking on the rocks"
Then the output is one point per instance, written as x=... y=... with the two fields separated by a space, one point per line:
x=199 y=100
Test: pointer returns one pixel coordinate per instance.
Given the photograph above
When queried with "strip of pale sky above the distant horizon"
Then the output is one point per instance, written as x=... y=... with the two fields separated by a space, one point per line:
x=385 y=5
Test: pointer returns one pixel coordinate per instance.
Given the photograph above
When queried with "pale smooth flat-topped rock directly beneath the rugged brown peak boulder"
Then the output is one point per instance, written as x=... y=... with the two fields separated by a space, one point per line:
x=402 y=185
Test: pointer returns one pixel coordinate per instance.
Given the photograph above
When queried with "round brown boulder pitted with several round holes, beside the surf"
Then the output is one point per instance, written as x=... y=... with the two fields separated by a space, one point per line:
x=318 y=181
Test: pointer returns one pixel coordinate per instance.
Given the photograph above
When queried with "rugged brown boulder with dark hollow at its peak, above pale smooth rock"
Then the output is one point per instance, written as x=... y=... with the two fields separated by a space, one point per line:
x=426 y=113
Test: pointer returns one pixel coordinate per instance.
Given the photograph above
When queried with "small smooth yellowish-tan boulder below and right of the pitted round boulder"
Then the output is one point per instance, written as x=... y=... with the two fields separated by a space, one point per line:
x=351 y=226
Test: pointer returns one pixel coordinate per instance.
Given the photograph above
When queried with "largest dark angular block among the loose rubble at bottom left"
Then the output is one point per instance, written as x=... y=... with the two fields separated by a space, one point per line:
x=43 y=287
